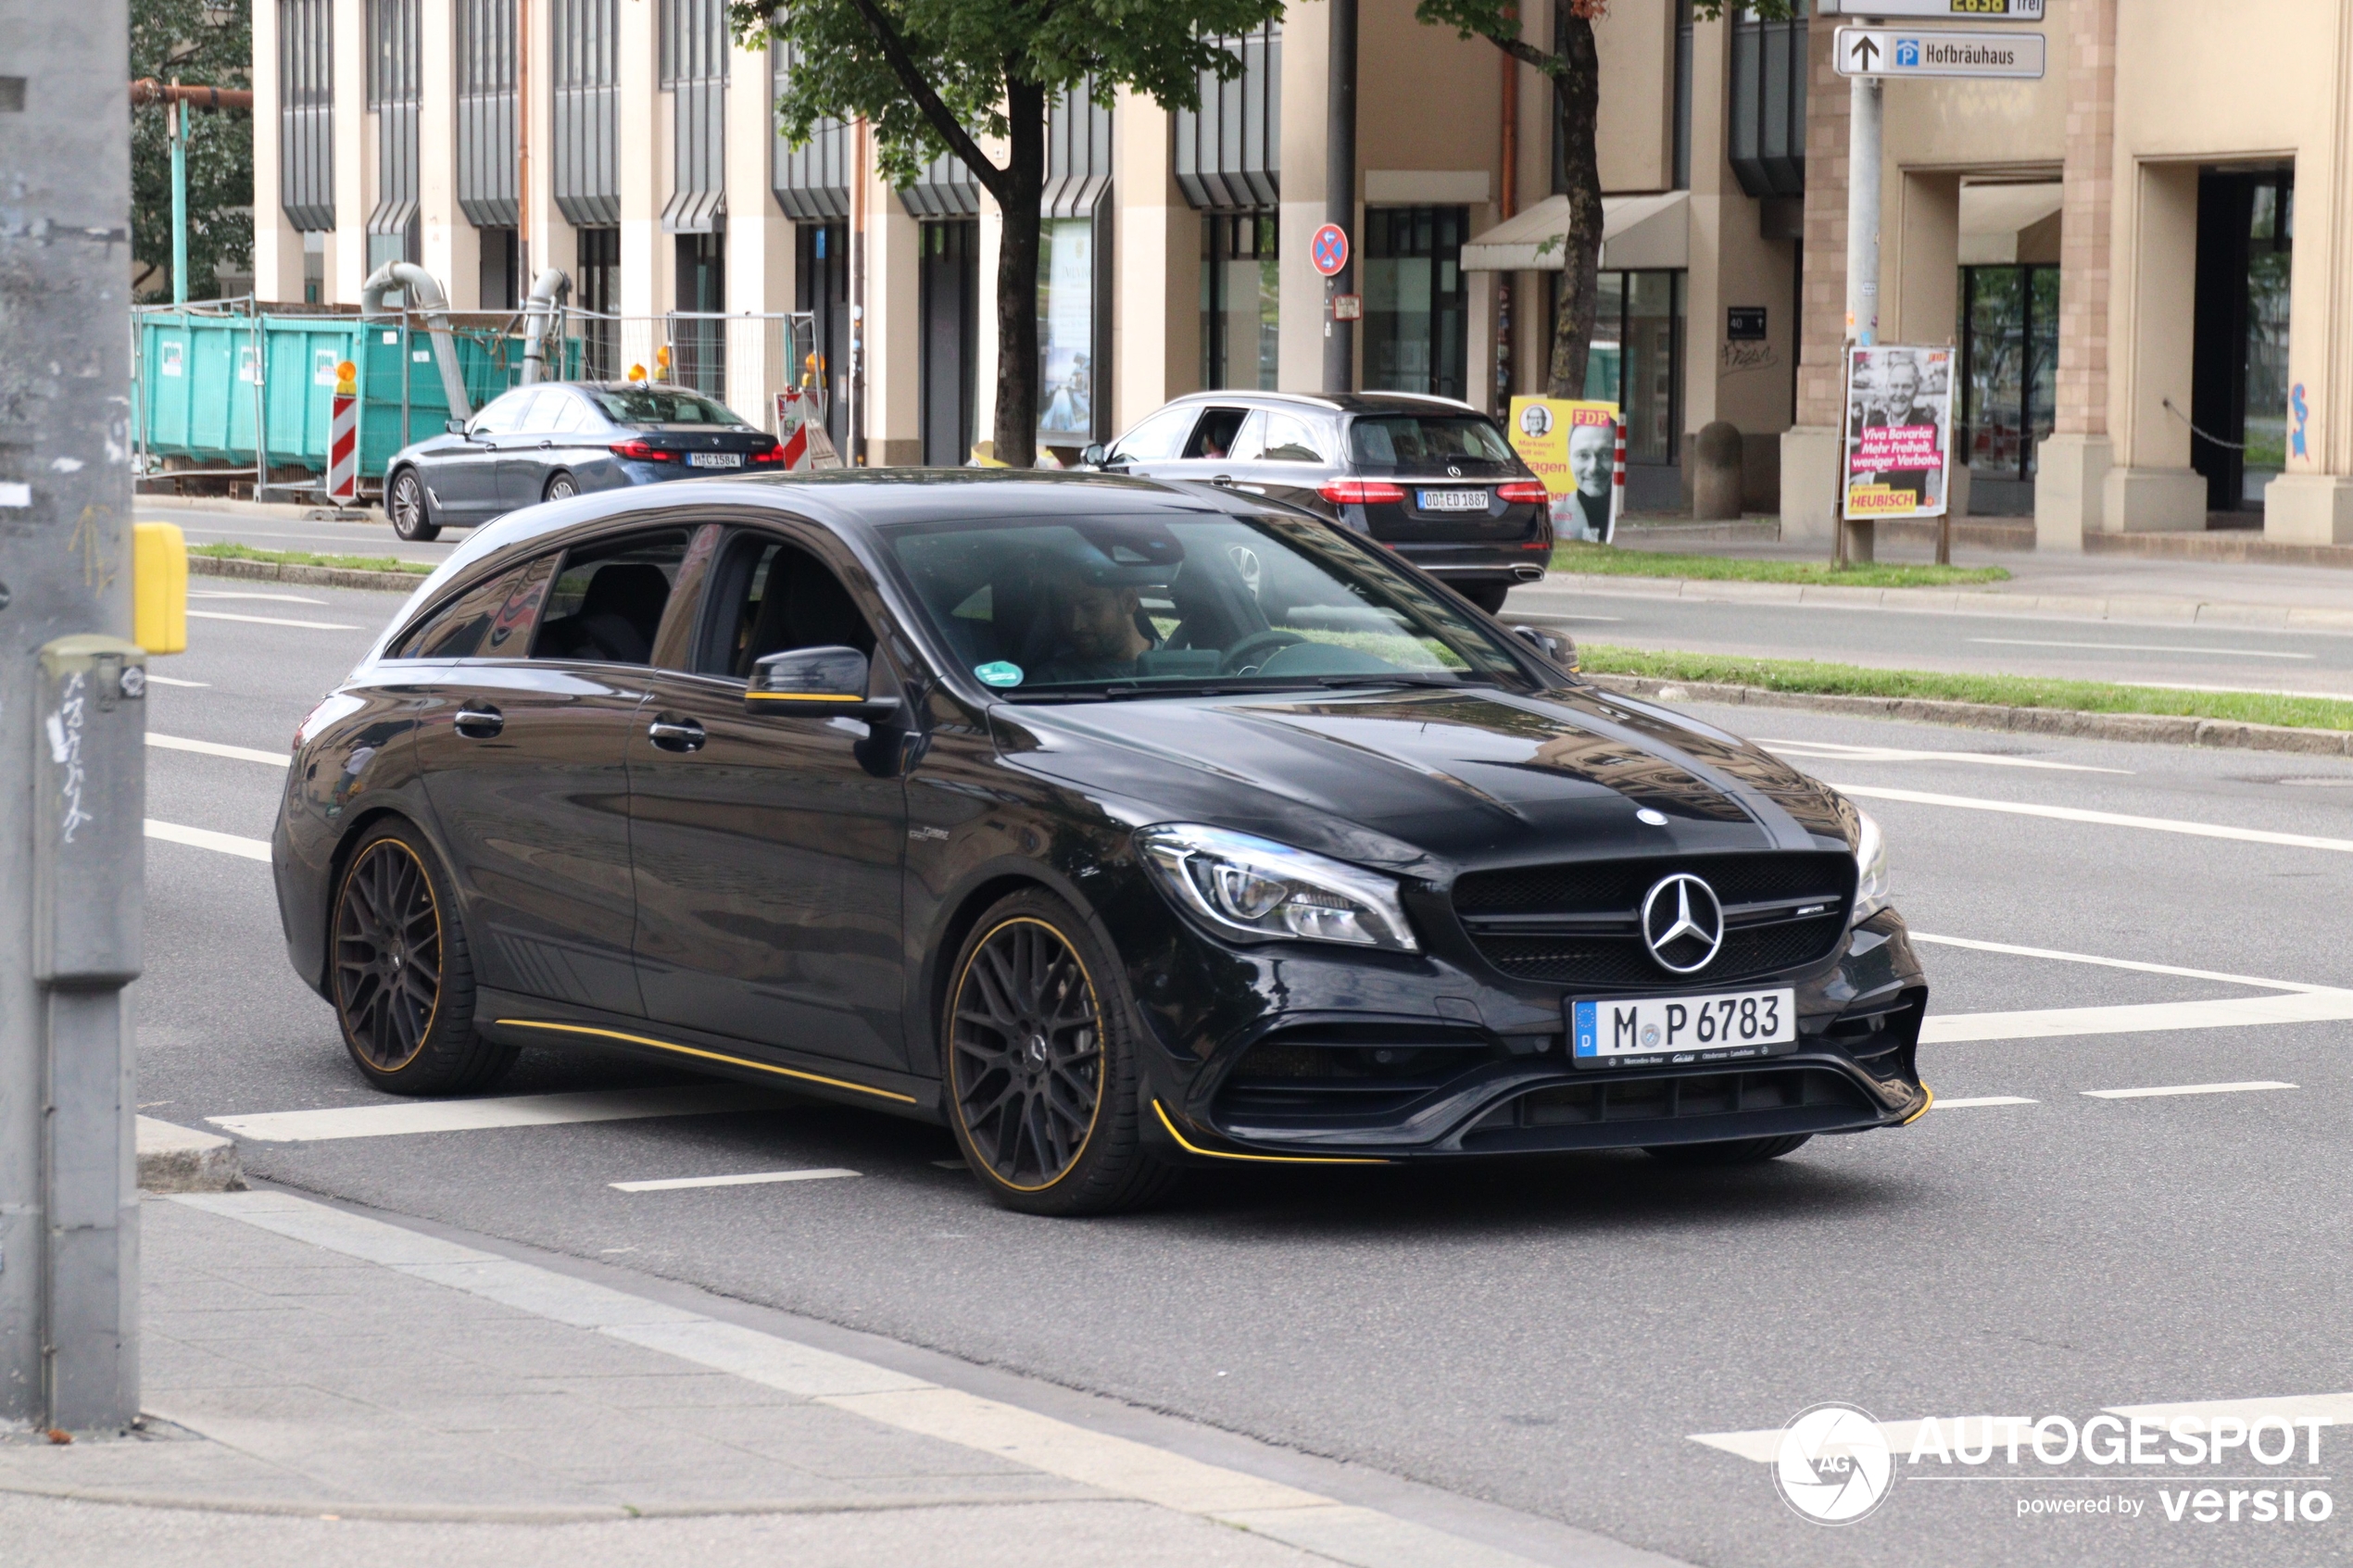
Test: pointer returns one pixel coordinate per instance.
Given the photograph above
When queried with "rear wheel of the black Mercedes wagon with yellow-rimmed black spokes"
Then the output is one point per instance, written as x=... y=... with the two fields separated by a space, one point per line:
x=401 y=974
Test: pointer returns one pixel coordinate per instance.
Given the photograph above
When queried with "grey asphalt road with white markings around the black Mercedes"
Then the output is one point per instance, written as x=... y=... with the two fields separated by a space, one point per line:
x=1547 y=1336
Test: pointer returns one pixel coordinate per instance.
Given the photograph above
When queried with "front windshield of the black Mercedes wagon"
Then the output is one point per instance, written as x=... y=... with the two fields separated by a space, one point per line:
x=1126 y=608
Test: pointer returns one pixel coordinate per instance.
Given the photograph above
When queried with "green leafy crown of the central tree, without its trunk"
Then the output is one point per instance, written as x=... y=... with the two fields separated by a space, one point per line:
x=968 y=51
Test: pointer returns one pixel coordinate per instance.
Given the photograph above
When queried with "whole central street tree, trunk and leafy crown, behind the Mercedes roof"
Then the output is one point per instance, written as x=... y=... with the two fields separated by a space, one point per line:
x=945 y=76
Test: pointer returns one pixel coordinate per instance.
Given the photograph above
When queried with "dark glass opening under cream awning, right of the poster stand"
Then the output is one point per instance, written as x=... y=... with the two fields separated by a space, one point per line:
x=2008 y=380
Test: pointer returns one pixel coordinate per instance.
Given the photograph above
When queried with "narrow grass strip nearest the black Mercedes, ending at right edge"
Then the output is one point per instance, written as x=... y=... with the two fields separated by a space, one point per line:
x=2001 y=690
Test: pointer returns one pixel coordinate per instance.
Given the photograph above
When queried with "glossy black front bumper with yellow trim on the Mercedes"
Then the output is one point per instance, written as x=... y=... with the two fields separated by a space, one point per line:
x=1455 y=1066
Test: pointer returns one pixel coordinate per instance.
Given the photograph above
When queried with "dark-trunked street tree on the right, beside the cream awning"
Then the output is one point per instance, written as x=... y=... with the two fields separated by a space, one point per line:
x=1578 y=100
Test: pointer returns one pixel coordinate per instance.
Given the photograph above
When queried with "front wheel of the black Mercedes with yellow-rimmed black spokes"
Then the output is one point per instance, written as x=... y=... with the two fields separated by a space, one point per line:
x=1041 y=1071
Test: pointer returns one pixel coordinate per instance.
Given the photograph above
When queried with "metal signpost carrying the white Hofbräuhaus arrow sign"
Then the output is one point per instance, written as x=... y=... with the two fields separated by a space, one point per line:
x=1867 y=58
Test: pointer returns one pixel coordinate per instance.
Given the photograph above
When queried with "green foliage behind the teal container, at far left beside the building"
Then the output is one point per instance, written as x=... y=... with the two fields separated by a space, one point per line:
x=206 y=43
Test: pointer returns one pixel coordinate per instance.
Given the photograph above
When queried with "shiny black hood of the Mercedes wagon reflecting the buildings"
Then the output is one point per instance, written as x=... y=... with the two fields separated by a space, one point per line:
x=1460 y=777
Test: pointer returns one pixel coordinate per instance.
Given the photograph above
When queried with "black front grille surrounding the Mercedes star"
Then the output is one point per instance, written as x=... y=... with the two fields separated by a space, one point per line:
x=1582 y=925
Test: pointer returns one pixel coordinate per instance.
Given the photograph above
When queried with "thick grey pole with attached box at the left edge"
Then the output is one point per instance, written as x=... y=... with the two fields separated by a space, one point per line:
x=72 y=730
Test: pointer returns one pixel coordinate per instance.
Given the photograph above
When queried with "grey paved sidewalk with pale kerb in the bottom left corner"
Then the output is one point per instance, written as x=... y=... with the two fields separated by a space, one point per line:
x=326 y=1386
